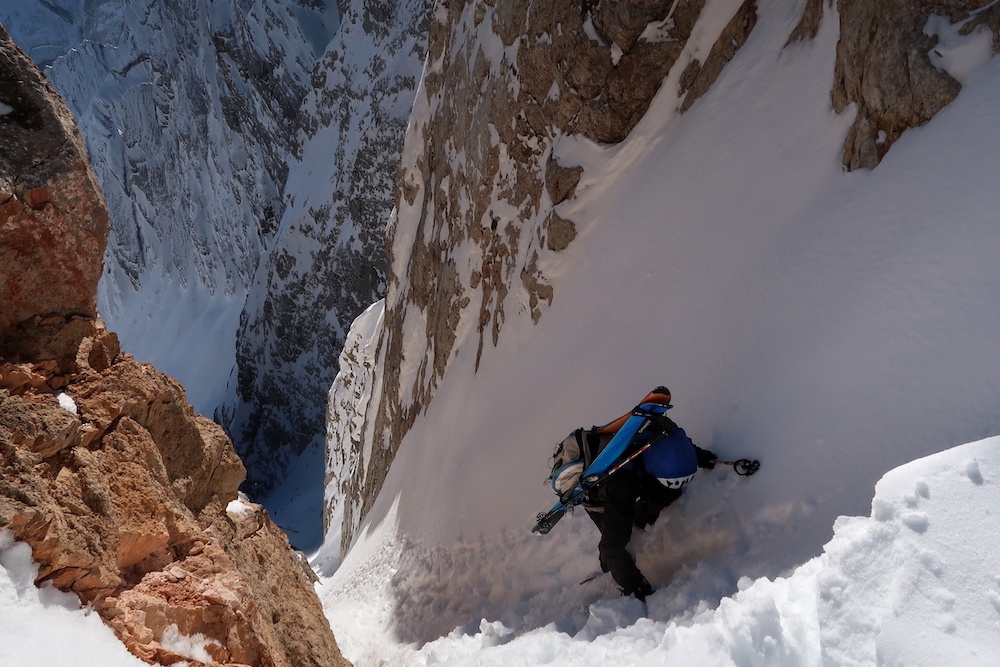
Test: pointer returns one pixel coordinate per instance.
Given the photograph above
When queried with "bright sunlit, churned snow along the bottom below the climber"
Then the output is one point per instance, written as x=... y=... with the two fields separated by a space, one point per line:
x=913 y=584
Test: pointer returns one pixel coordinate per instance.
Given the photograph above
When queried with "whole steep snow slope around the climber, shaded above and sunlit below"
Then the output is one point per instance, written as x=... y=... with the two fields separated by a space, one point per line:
x=834 y=325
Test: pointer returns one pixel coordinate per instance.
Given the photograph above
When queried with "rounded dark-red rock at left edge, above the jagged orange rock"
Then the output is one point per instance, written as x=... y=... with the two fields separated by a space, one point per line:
x=53 y=222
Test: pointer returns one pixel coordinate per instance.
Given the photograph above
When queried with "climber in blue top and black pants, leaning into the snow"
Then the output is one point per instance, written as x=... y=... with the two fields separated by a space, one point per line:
x=635 y=495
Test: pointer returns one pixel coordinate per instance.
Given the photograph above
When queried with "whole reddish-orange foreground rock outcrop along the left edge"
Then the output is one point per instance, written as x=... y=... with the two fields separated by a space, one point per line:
x=126 y=497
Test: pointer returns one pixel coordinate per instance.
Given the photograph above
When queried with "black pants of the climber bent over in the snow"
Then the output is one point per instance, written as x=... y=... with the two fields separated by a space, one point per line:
x=627 y=497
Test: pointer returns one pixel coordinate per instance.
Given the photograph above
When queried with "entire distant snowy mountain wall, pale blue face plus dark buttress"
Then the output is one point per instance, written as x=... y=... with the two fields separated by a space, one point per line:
x=241 y=169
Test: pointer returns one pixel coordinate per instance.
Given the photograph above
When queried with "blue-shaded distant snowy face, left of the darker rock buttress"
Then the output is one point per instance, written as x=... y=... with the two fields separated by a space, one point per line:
x=190 y=112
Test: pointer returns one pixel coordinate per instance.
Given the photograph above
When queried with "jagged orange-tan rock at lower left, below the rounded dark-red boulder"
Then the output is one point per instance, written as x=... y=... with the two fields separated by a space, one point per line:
x=124 y=503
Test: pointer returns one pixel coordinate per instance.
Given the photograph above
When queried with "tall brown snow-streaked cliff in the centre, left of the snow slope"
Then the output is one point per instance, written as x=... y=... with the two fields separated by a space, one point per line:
x=477 y=192
